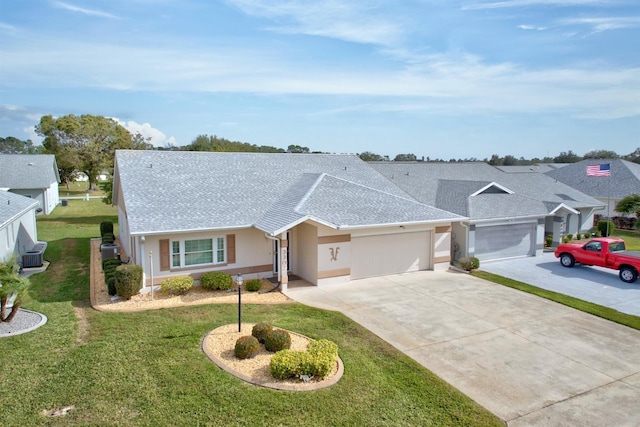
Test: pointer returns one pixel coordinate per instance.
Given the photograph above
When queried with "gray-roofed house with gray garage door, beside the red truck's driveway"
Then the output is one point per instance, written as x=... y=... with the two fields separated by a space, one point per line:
x=509 y=213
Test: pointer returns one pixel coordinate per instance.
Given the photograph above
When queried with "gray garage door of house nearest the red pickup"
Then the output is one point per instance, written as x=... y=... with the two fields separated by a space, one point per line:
x=504 y=241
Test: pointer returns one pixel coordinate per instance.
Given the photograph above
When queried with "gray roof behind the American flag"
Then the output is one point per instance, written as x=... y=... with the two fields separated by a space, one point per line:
x=624 y=179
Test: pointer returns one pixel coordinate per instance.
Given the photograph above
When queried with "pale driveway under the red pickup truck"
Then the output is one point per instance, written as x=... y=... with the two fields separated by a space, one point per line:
x=594 y=284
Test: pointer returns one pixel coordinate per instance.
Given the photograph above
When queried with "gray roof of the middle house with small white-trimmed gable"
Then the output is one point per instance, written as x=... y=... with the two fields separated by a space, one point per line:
x=450 y=186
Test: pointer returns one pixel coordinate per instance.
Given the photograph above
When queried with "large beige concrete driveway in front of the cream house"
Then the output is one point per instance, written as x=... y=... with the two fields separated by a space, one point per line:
x=530 y=361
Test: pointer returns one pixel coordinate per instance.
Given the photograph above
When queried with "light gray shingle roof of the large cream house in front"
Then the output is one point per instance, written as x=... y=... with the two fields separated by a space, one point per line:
x=187 y=191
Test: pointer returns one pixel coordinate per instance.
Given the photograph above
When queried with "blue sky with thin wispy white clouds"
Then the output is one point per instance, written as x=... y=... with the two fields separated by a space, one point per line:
x=437 y=78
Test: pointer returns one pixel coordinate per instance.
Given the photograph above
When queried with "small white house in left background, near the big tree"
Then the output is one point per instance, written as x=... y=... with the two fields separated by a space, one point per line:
x=31 y=175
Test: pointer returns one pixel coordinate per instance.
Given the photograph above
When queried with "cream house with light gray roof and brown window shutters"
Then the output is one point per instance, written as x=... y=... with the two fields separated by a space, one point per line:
x=325 y=218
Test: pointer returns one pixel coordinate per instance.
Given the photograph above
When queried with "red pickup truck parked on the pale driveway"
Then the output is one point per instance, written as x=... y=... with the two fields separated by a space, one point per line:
x=605 y=252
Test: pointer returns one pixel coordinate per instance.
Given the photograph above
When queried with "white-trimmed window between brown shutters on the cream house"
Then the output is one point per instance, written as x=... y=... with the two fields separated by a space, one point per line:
x=190 y=252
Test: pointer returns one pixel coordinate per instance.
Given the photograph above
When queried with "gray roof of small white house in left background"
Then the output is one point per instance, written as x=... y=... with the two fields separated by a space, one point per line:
x=28 y=171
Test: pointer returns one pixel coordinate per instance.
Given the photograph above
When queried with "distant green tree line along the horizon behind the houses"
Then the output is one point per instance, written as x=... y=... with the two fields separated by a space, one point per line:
x=87 y=144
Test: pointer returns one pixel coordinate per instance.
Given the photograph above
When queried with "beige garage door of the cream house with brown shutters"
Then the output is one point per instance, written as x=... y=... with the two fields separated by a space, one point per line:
x=373 y=256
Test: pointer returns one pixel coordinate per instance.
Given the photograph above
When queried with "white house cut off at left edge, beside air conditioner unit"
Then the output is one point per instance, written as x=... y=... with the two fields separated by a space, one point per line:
x=18 y=233
